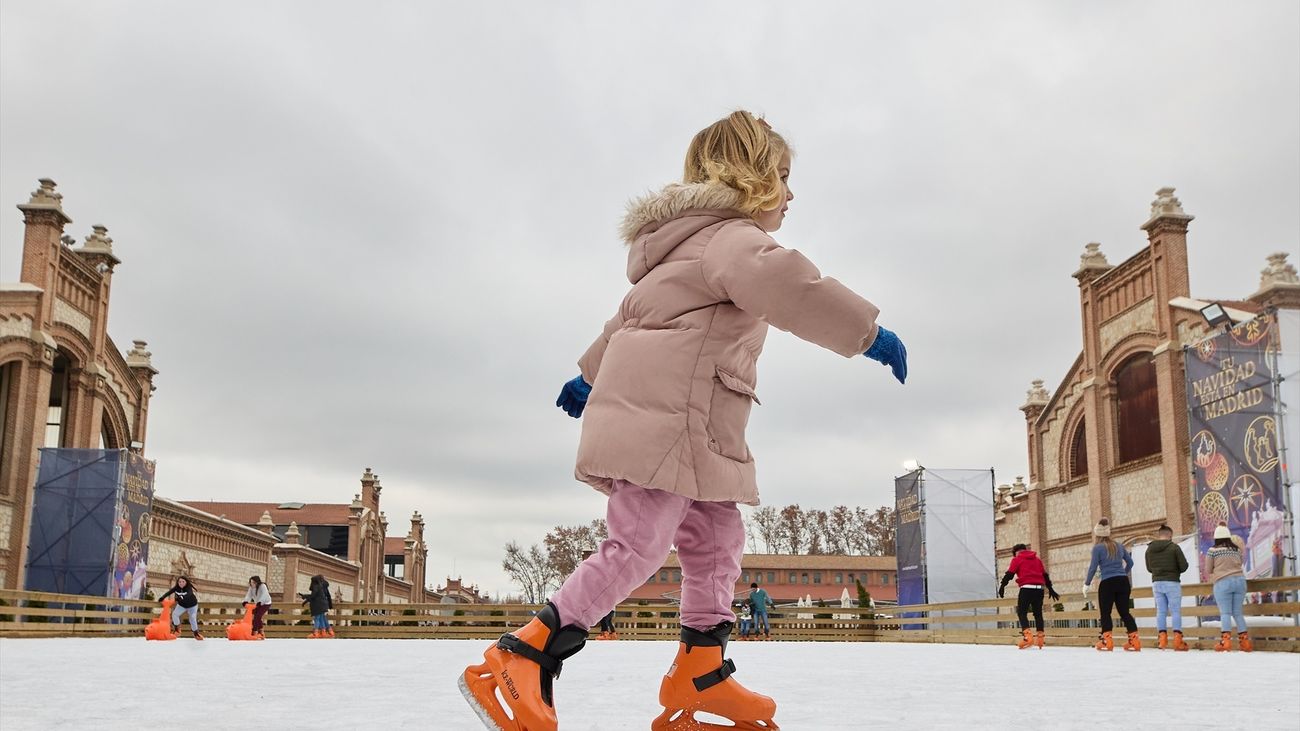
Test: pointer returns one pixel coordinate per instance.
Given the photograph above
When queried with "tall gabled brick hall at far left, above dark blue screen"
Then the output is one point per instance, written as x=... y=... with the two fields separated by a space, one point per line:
x=63 y=380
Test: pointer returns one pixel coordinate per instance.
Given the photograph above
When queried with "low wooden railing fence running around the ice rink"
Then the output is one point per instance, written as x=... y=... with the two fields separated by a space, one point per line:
x=1273 y=624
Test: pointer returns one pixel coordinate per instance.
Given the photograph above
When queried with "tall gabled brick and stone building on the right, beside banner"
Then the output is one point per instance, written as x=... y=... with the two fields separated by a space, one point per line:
x=1112 y=439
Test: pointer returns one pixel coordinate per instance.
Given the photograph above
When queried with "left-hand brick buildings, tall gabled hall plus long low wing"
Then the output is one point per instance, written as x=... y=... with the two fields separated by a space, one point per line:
x=66 y=384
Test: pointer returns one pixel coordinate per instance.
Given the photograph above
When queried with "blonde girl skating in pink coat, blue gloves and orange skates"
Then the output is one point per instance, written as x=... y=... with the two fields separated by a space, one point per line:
x=668 y=390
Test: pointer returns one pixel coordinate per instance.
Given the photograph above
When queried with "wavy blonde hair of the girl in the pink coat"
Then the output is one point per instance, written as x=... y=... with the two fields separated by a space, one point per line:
x=744 y=153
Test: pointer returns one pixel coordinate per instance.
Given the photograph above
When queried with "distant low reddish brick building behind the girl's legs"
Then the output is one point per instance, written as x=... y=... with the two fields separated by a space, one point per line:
x=790 y=578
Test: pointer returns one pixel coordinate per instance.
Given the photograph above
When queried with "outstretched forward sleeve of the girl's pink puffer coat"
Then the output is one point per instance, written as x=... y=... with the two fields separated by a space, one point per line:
x=785 y=289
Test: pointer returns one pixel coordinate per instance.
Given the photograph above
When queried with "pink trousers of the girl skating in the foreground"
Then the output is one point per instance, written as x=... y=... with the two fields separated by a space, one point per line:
x=644 y=526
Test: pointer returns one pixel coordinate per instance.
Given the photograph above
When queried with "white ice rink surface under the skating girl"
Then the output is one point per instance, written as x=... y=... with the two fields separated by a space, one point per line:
x=89 y=684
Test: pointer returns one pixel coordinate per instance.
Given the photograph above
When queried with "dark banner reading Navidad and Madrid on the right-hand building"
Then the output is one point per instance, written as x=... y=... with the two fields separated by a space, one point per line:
x=1234 y=443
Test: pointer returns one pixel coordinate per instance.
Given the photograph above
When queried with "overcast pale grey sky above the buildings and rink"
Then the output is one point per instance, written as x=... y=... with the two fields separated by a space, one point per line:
x=382 y=235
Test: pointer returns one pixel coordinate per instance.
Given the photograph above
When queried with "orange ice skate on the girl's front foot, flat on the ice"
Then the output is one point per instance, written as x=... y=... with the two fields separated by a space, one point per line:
x=700 y=681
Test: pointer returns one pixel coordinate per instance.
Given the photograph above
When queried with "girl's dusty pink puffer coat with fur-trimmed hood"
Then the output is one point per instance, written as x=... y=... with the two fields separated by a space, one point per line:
x=674 y=373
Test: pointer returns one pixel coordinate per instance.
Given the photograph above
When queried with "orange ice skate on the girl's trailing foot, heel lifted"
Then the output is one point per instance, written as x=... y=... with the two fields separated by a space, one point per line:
x=519 y=671
